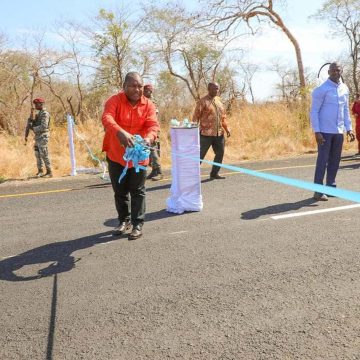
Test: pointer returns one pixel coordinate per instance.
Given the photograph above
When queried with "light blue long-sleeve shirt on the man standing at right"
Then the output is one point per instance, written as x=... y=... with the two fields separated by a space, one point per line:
x=330 y=108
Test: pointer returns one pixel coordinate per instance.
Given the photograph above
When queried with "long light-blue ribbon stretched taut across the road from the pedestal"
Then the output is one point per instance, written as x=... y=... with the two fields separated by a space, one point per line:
x=329 y=190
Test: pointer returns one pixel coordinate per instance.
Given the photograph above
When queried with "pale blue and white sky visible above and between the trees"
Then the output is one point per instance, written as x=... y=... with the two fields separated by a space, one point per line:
x=314 y=38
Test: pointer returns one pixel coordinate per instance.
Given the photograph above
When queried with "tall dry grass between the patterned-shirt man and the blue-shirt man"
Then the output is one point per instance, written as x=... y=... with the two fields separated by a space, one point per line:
x=267 y=131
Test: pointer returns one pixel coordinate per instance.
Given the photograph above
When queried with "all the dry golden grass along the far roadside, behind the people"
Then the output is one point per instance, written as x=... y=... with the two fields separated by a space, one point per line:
x=258 y=132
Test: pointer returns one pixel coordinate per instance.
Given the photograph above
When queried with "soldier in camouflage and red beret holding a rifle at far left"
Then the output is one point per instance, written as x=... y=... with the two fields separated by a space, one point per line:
x=40 y=126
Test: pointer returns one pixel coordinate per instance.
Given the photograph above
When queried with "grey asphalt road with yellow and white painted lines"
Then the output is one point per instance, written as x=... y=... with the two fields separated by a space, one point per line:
x=234 y=281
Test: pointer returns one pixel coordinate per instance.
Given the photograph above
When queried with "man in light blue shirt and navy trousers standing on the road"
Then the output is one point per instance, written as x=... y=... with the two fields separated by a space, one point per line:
x=330 y=115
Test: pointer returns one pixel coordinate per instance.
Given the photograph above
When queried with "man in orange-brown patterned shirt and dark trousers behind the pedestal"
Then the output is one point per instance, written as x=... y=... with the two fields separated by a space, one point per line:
x=211 y=117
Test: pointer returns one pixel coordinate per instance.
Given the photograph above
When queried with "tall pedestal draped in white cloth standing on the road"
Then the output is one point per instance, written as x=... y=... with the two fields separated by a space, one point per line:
x=185 y=172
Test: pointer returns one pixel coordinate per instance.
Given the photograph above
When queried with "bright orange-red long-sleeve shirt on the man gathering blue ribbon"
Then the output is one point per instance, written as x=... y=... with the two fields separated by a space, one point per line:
x=120 y=114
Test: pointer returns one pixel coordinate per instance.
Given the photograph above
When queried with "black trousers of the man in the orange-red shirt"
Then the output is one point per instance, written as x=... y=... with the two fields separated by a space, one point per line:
x=131 y=186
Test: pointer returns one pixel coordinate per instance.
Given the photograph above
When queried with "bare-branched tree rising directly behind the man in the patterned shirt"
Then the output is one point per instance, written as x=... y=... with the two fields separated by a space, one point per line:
x=189 y=54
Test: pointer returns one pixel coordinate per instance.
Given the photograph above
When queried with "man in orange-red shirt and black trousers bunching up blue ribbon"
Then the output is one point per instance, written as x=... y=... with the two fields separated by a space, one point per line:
x=126 y=114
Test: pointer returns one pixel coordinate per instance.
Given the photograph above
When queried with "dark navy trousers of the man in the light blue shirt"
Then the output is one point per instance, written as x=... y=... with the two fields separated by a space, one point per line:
x=329 y=155
